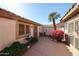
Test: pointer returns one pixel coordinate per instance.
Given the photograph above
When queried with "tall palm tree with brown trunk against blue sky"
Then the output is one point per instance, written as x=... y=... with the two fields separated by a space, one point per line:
x=52 y=17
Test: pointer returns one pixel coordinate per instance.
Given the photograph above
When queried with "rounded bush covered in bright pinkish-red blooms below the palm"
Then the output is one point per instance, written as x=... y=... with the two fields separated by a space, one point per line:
x=58 y=35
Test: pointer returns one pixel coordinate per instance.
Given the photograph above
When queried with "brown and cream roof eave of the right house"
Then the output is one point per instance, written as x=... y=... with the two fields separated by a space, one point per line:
x=72 y=12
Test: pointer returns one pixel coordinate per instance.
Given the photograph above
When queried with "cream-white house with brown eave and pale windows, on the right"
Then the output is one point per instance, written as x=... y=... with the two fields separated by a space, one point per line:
x=71 y=19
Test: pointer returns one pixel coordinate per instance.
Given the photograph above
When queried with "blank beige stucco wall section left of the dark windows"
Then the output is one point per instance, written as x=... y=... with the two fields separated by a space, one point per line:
x=7 y=32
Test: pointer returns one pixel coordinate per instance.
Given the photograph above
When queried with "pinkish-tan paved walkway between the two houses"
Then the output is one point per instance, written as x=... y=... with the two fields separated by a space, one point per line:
x=46 y=47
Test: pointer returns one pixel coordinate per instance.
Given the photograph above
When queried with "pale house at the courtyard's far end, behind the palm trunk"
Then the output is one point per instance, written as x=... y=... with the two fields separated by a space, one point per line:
x=47 y=28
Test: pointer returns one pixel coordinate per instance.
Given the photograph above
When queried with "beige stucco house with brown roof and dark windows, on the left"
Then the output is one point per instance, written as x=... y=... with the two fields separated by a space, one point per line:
x=15 y=28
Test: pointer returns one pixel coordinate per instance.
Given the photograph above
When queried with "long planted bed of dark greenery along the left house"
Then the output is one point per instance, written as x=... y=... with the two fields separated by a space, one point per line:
x=17 y=48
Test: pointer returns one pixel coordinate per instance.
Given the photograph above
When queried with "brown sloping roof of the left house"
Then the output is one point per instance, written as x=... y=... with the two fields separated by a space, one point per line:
x=7 y=14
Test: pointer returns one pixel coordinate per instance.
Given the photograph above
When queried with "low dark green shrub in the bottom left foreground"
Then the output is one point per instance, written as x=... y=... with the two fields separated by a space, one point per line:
x=14 y=49
